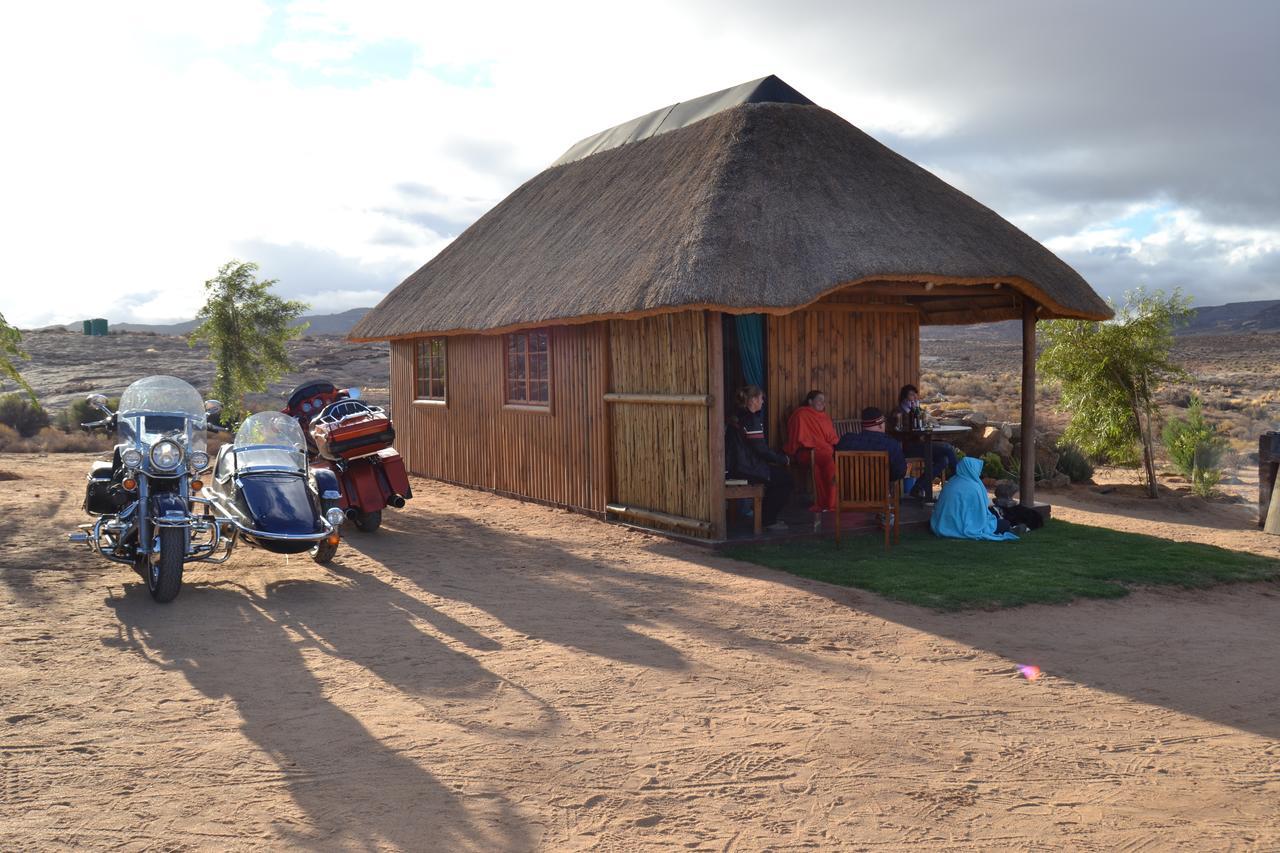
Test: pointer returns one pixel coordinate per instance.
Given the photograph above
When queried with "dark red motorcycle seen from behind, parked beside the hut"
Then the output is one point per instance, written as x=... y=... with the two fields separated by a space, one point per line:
x=353 y=440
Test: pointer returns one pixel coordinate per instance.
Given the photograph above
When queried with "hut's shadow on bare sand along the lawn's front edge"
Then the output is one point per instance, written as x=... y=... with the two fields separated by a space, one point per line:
x=1206 y=654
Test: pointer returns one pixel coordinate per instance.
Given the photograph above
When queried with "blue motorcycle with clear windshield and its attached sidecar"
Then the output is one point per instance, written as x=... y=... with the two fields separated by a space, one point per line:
x=153 y=512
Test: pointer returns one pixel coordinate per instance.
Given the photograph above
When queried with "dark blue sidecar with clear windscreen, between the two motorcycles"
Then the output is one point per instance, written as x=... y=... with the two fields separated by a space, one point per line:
x=263 y=487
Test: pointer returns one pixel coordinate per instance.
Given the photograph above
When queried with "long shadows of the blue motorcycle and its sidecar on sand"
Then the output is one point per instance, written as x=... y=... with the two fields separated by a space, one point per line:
x=354 y=788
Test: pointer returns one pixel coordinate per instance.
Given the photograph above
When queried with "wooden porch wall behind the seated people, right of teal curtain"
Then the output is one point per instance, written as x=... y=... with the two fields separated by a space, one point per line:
x=860 y=354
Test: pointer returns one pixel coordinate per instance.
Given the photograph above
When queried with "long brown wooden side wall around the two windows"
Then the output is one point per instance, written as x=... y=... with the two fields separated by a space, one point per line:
x=560 y=457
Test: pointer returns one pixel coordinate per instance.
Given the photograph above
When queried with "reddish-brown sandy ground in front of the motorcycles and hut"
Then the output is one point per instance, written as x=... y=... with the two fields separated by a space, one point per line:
x=484 y=674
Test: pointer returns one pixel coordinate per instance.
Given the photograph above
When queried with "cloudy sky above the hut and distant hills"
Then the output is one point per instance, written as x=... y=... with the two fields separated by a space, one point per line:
x=341 y=144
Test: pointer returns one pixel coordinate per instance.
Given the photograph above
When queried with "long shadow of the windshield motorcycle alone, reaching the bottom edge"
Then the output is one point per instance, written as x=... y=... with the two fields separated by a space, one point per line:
x=232 y=645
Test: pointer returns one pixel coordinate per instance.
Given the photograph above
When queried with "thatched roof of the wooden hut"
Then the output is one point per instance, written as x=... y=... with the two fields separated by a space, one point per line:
x=758 y=207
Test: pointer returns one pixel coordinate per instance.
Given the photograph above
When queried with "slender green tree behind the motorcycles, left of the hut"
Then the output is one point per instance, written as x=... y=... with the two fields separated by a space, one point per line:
x=246 y=329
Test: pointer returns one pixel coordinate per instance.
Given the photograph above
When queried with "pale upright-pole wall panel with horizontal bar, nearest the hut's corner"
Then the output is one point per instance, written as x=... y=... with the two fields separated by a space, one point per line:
x=661 y=451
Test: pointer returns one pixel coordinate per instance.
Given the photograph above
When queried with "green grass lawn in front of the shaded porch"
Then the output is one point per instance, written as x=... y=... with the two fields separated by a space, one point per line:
x=1053 y=565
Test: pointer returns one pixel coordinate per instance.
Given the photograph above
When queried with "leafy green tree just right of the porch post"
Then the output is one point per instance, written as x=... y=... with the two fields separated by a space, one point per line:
x=1109 y=375
